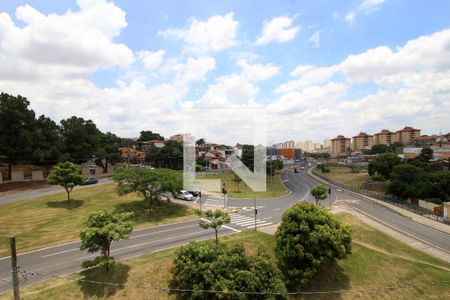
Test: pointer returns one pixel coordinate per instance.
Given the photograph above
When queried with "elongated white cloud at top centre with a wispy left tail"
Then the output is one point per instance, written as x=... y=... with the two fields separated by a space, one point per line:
x=217 y=33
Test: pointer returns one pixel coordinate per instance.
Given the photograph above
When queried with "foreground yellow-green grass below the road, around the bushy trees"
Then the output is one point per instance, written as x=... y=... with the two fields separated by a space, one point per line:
x=377 y=264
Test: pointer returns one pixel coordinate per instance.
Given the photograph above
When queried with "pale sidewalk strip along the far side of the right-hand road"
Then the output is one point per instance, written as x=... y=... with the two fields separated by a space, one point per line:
x=408 y=214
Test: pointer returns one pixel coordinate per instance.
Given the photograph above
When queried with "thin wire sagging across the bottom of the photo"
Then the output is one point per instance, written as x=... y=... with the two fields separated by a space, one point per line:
x=155 y=289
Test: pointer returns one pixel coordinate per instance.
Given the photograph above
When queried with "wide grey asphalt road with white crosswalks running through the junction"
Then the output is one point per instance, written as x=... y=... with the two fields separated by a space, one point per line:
x=67 y=258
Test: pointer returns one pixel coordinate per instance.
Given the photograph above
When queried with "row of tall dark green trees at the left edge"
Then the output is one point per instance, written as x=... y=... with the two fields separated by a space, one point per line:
x=28 y=138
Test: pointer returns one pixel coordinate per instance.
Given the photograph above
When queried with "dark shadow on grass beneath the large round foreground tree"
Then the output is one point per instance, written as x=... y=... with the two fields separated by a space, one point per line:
x=331 y=278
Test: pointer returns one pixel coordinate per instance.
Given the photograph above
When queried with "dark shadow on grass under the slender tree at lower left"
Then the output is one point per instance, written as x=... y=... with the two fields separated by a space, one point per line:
x=96 y=282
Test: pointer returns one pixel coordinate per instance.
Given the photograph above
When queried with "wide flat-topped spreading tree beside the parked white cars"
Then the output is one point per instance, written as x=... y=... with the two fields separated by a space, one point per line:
x=151 y=184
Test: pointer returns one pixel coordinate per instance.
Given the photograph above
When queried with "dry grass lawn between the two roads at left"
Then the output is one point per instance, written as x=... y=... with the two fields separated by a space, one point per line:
x=49 y=220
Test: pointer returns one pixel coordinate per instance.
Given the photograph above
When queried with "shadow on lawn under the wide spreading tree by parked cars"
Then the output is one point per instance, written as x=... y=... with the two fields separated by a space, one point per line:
x=156 y=213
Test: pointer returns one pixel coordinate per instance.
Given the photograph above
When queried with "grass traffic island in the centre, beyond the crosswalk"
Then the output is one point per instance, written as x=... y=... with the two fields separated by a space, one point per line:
x=274 y=187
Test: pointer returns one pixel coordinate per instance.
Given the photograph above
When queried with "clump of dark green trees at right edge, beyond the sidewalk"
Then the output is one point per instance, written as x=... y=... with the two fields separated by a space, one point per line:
x=414 y=178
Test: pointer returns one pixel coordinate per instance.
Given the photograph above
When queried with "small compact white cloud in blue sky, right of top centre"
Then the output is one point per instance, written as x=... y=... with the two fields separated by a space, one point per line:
x=278 y=29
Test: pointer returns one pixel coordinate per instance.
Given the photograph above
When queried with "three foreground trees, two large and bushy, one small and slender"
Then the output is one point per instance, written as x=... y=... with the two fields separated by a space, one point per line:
x=308 y=239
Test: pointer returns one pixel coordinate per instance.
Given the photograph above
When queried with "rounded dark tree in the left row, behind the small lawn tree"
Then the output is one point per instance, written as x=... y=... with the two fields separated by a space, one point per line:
x=81 y=139
